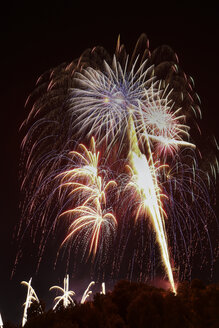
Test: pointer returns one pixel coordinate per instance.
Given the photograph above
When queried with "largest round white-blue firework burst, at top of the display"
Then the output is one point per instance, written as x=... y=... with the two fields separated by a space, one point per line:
x=102 y=103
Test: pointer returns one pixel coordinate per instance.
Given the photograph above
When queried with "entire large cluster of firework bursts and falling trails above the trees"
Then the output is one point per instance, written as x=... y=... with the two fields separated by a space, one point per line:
x=90 y=121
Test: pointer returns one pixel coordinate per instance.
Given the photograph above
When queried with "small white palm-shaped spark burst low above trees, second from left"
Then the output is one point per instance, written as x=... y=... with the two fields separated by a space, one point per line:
x=66 y=297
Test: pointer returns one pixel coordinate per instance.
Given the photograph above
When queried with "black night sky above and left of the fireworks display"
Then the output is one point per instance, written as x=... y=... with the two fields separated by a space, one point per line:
x=37 y=37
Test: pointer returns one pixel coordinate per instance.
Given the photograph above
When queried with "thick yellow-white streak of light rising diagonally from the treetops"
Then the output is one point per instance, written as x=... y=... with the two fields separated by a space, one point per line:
x=145 y=184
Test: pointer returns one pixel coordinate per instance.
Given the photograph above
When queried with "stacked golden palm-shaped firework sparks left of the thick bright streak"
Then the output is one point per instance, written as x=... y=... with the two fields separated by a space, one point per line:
x=91 y=216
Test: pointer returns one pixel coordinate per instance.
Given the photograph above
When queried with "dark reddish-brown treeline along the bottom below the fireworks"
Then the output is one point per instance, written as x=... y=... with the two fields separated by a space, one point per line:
x=136 y=305
